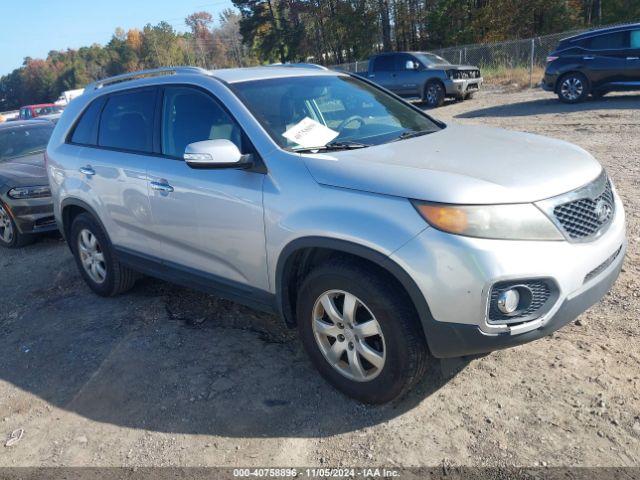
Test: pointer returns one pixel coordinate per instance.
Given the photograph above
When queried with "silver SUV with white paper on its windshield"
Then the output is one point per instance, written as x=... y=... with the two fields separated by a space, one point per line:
x=385 y=236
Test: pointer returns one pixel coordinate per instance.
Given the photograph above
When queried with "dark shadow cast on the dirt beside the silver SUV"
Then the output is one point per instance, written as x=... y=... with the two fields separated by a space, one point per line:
x=168 y=359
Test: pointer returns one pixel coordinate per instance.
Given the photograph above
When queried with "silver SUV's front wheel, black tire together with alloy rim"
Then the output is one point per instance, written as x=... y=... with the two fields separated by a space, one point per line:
x=401 y=344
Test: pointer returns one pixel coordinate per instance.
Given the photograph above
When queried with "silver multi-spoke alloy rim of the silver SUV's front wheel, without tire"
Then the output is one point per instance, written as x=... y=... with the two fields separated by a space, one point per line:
x=348 y=335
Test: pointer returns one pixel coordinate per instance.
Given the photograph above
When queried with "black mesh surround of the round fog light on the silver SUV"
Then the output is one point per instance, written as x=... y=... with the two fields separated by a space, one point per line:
x=541 y=294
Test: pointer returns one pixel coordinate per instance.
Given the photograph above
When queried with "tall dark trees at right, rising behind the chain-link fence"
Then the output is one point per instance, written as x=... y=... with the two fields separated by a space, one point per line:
x=338 y=31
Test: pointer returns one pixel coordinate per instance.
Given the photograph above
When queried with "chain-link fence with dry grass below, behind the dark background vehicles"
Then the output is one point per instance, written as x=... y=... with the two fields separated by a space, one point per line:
x=515 y=61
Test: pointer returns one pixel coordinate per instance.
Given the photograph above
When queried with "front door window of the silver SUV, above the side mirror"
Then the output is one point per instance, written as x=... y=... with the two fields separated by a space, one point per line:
x=189 y=116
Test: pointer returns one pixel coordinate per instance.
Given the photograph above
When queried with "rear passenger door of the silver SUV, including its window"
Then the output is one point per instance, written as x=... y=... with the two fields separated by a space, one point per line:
x=112 y=162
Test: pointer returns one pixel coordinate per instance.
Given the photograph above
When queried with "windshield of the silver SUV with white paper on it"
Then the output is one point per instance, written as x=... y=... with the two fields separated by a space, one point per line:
x=301 y=112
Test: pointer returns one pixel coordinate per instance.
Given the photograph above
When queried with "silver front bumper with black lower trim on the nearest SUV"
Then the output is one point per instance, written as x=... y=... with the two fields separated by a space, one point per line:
x=455 y=275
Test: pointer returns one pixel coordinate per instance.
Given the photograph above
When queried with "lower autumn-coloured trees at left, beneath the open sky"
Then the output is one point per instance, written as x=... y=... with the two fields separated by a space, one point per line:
x=205 y=44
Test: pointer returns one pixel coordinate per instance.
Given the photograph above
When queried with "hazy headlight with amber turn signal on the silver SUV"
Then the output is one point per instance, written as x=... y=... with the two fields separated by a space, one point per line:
x=508 y=222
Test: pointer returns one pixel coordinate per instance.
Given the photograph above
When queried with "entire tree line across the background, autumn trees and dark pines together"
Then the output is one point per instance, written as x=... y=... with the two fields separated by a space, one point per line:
x=320 y=31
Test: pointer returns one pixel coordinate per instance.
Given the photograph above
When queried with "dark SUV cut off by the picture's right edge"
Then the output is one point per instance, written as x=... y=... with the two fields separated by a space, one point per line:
x=595 y=62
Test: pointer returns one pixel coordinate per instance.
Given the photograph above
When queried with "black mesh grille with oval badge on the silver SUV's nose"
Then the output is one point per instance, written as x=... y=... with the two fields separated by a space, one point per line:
x=585 y=217
